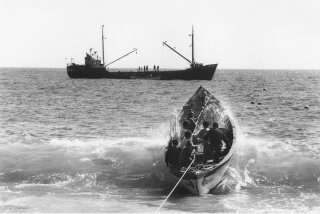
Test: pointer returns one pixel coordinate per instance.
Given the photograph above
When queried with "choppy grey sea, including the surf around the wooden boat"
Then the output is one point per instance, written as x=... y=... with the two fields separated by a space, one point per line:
x=81 y=145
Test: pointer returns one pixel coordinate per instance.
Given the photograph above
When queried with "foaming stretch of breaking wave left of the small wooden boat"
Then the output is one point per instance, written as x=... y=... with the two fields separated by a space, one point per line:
x=84 y=165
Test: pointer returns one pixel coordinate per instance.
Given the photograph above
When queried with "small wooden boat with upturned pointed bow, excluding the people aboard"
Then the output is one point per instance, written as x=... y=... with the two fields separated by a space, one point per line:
x=201 y=178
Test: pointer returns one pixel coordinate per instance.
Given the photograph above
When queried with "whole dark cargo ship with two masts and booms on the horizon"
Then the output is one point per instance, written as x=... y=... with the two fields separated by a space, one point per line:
x=94 y=68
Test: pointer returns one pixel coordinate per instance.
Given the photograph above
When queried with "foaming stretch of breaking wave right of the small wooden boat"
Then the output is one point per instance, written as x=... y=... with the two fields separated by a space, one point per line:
x=273 y=166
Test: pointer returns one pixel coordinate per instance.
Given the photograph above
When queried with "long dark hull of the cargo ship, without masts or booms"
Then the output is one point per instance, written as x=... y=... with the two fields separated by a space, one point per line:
x=199 y=73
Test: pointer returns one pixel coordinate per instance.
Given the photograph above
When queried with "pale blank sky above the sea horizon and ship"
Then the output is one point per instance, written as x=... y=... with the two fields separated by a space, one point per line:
x=280 y=34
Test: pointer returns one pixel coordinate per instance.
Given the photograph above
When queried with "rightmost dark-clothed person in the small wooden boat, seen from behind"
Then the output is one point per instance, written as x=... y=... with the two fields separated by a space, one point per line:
x=214 y=138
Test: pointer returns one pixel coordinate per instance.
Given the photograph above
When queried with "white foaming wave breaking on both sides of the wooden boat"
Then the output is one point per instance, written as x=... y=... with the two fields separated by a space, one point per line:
x=137 y=162
